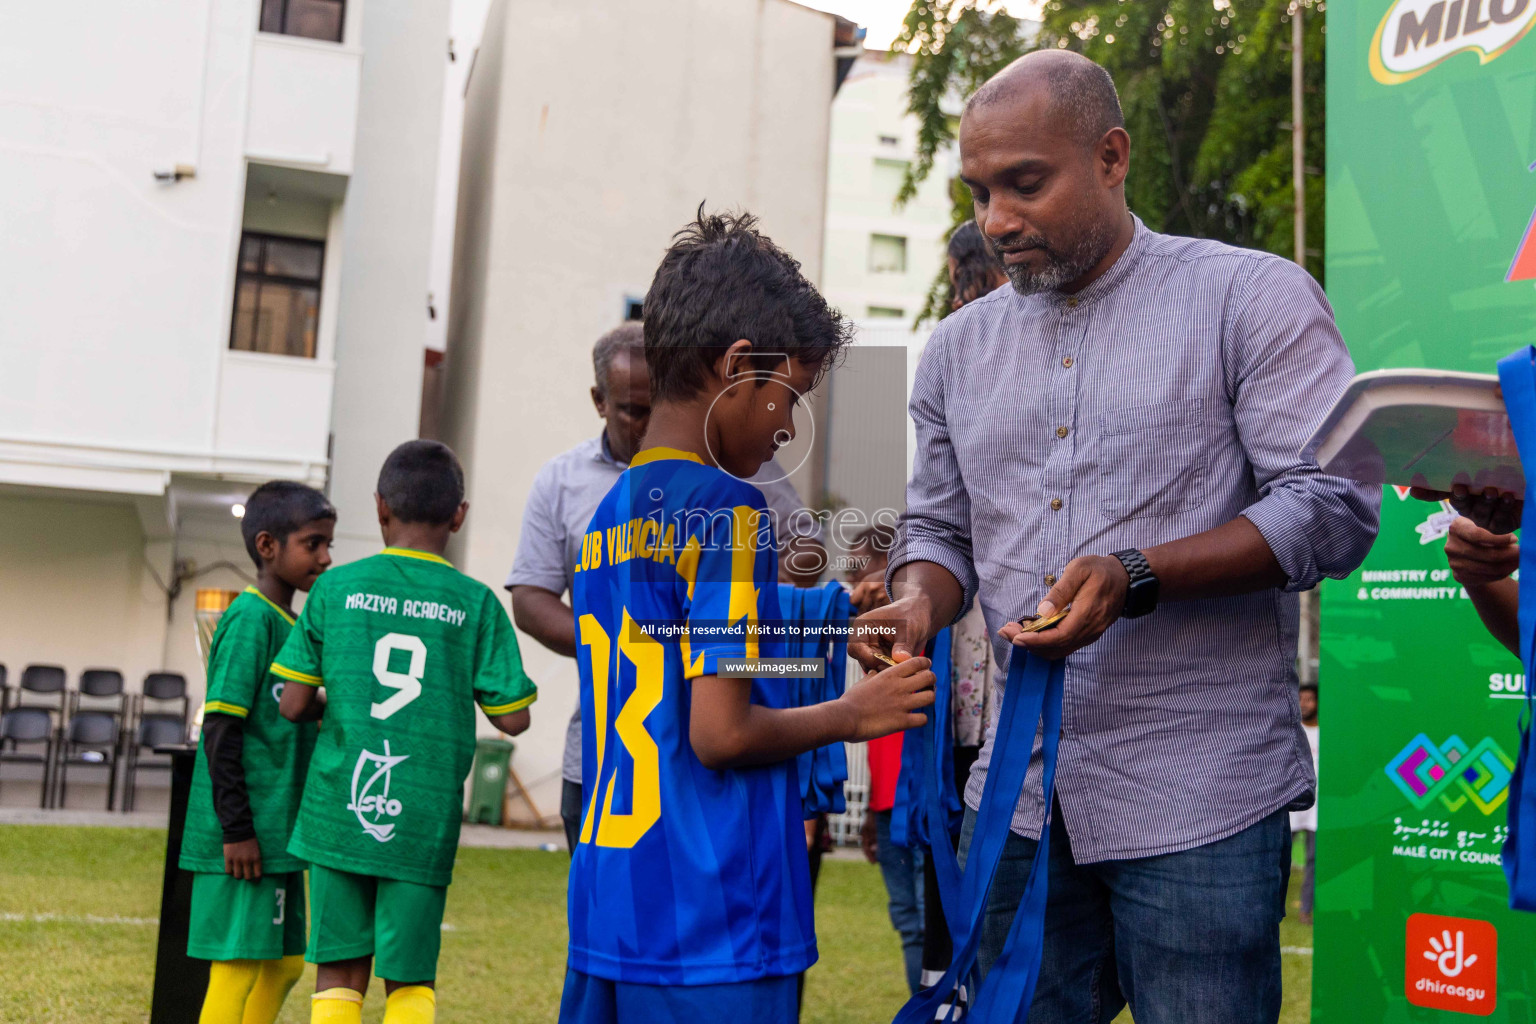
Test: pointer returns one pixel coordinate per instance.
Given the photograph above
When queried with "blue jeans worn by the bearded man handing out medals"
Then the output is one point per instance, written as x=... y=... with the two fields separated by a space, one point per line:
x=1187 y=939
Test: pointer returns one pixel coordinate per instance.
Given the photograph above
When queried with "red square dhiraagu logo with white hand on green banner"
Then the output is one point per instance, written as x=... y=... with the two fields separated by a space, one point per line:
x=1452 y=965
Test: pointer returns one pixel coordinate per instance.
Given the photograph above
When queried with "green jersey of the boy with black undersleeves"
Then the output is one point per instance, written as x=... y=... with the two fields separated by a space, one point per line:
x=276 y=753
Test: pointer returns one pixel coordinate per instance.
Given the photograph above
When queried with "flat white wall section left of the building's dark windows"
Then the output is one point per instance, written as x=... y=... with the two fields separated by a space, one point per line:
x=116 y=288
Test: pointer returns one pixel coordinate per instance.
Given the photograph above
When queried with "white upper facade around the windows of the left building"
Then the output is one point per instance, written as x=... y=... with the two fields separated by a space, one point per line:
x=119 y=288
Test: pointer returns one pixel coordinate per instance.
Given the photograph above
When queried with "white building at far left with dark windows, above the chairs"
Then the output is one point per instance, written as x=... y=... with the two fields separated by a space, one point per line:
x=214 y=273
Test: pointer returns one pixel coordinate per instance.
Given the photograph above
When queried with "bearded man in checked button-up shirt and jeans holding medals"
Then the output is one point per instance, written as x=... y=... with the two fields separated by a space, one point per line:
x=1119 y=434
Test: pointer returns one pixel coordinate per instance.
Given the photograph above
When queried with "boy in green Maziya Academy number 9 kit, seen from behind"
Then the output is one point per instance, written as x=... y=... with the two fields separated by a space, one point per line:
x=405 y=647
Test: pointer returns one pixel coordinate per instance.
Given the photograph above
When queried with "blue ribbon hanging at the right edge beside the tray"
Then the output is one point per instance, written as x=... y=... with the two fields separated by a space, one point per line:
x=1518 y=380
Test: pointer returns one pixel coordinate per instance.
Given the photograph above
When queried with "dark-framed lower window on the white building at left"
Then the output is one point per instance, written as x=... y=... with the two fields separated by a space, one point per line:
x=277 y=296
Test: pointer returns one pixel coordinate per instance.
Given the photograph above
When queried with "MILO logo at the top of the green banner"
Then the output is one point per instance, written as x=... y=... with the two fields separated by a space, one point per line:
x=1415 y=36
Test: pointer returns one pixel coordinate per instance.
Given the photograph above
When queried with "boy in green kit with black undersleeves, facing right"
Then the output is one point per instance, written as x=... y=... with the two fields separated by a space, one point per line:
x=248 y=891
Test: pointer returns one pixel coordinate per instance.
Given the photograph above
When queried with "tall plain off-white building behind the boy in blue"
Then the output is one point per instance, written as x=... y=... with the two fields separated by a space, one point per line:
x=592 y=133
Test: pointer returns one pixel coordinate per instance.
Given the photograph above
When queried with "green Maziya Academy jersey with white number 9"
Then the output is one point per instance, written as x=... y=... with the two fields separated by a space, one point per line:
x=406 y=647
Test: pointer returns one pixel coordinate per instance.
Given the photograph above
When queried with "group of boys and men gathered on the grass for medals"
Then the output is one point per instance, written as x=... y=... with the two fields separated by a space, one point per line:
x=1108 y=434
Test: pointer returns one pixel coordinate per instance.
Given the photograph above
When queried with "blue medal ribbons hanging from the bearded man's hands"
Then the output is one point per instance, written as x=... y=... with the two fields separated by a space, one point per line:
x=1033 y=699
